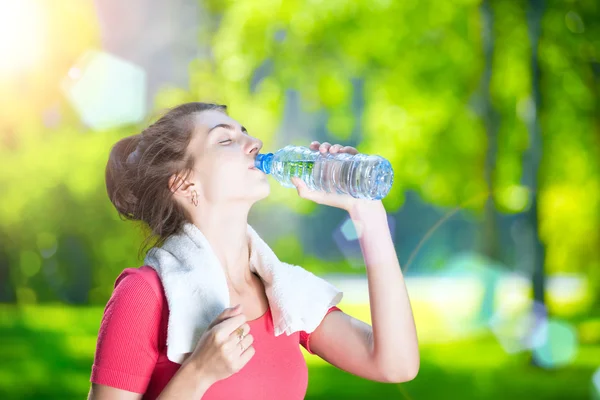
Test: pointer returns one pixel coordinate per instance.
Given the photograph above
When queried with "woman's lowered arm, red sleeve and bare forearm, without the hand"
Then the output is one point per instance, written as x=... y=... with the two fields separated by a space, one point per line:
x=128 y=347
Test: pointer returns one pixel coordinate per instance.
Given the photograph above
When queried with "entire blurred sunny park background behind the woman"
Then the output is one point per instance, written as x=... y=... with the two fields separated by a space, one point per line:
x=489 y=112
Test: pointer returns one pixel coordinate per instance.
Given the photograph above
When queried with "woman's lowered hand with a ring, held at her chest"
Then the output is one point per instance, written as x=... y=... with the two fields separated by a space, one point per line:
x=218 y=353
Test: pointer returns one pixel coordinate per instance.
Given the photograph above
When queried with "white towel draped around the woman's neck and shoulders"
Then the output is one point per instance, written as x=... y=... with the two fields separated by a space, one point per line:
x=197 y=292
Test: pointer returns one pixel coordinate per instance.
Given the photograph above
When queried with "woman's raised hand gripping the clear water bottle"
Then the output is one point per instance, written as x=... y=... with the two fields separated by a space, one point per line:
x=343 y=201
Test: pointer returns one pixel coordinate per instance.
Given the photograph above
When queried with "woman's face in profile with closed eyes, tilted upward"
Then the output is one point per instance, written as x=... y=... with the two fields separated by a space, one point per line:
x=225 y=154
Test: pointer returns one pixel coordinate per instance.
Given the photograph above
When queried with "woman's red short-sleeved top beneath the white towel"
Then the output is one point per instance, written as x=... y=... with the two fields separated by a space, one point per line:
x=131 y=348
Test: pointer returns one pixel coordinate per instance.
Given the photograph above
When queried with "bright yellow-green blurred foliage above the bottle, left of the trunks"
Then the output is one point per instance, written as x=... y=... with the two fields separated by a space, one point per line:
x=419 y=61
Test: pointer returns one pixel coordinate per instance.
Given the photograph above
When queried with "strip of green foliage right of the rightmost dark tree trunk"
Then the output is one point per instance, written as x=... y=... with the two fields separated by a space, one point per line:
x=569 y=195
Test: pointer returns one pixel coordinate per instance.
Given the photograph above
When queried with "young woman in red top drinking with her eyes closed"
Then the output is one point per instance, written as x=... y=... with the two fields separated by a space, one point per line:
x=196 y=165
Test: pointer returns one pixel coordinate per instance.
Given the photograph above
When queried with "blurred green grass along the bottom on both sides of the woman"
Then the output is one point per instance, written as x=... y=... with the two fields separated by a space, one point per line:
x=47 y=352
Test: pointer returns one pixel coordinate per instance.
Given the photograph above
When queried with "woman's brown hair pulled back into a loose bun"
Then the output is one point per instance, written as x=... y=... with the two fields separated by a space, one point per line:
x=139 y=168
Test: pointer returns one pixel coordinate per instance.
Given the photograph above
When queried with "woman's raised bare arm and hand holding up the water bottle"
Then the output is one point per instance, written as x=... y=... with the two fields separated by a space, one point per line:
x=392 y=346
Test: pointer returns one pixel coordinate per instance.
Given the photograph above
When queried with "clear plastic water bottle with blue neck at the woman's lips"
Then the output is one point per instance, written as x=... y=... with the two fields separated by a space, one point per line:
x=361 y=176
